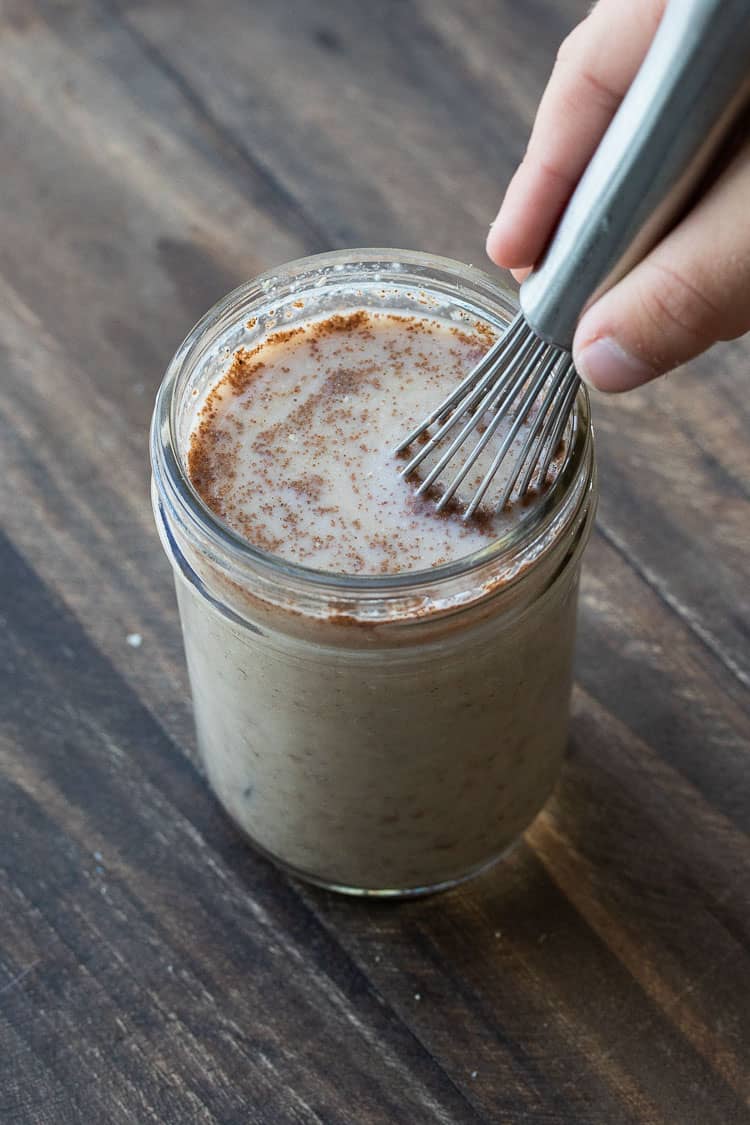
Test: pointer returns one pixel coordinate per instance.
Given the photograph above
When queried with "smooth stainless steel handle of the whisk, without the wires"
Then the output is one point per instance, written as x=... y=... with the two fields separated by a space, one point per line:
x=688 y=94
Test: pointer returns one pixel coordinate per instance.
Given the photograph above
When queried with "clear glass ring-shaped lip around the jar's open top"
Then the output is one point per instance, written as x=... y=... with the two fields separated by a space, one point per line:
x=174 y=483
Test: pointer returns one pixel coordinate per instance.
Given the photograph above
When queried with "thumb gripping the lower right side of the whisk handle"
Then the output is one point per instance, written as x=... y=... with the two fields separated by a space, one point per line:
x=692 y=291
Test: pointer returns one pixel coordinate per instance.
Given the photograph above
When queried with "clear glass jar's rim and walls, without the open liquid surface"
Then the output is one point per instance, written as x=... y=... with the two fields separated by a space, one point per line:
x=387 y=735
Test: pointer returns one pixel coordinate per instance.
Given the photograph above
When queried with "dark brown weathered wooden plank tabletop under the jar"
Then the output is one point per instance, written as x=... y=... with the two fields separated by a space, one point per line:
x=155 y=154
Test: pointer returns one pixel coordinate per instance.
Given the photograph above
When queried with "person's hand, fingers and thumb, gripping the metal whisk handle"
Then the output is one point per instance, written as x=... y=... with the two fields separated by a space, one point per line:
x=694 y=287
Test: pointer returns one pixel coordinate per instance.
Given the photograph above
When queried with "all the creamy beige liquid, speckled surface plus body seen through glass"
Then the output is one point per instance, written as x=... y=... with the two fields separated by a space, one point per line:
x=387 y=763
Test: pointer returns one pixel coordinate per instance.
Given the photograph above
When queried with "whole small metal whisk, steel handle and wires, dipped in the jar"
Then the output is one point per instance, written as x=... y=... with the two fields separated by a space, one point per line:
x=689 y=93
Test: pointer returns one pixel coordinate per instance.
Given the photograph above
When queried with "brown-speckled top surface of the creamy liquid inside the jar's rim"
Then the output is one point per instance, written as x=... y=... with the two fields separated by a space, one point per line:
x=294 y=446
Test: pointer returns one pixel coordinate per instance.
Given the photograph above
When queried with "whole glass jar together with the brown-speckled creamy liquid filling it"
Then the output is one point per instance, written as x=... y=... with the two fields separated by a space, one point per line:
x=381 y=691
